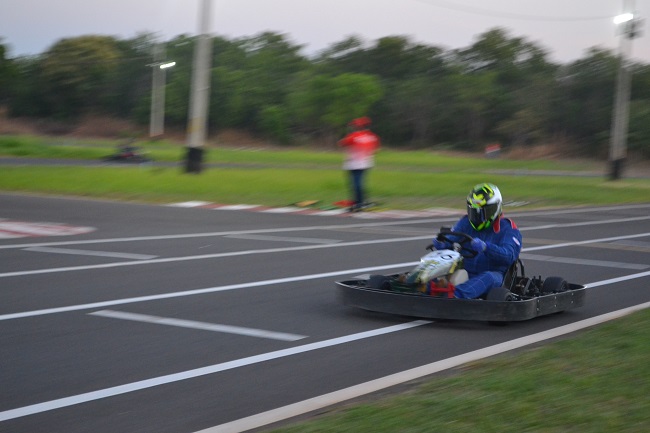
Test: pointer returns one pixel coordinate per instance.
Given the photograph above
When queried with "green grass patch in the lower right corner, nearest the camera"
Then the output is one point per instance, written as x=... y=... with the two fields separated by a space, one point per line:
x=595 y=382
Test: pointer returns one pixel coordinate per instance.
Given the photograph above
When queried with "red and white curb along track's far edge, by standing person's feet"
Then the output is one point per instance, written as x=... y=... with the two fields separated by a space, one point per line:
x=319 y=212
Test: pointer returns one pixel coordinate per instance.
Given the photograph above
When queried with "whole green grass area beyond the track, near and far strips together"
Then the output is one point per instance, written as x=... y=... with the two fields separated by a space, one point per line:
x=401 y=180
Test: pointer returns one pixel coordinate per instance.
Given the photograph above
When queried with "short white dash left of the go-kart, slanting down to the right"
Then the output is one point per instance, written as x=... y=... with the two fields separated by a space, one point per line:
x=192 y=324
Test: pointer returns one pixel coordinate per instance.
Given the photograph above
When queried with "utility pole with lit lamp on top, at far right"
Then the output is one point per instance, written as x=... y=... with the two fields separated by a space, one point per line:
x=629 y=29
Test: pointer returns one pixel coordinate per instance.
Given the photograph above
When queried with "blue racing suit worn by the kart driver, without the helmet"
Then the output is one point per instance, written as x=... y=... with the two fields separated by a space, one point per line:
x=488 y=268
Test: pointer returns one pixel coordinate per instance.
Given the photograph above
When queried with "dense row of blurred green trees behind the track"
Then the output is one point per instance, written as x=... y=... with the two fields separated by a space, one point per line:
x=499 y=89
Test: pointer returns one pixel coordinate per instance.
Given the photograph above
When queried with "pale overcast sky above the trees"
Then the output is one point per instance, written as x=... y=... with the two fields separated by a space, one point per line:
x=564 y=28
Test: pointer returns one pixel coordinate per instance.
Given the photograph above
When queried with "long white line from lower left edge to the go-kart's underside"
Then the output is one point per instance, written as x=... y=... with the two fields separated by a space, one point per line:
x=190 y=374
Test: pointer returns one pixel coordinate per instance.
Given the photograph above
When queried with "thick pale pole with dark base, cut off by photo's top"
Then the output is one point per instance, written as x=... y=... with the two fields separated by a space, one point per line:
x=200 y=93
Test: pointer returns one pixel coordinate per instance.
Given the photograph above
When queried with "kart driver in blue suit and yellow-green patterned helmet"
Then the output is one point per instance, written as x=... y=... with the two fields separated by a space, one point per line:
x=496 y=239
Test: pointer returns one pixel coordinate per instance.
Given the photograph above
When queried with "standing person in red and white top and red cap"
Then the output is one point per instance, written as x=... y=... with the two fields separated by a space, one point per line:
x=360 y=146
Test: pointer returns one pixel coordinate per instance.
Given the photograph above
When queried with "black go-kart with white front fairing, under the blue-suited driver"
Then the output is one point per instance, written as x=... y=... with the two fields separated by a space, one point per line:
x=427 y=291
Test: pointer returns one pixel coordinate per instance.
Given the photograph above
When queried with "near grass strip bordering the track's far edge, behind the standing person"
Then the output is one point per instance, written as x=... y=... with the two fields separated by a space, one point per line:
x=281 y=186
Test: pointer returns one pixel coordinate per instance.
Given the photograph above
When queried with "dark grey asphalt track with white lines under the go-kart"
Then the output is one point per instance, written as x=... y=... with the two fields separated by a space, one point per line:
x=139 y=318
